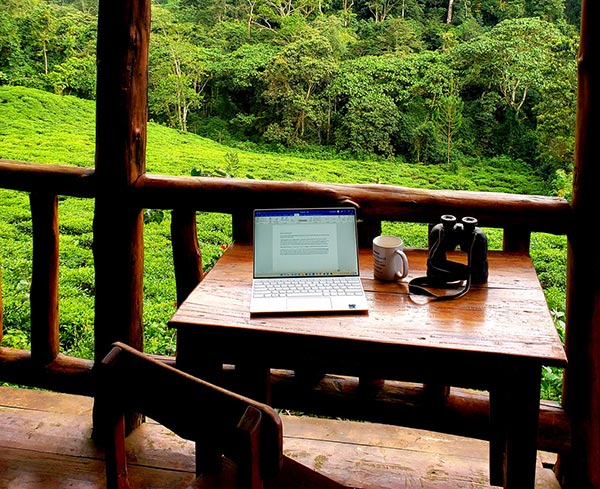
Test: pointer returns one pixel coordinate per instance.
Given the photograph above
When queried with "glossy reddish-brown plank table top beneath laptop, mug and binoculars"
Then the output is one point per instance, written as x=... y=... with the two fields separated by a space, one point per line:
x=506 y=316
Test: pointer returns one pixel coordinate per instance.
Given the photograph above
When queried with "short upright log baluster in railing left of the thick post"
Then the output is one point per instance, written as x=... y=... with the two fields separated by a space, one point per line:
x=44 y=281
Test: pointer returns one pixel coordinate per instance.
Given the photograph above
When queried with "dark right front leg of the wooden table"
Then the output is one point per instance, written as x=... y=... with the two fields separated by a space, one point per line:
x=514 y=413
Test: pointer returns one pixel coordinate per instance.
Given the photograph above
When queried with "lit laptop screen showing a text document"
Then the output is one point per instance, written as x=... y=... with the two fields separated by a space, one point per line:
x=305 y=242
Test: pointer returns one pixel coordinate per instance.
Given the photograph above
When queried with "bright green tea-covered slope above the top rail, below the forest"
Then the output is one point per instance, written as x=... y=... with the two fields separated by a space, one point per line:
x=42 y=127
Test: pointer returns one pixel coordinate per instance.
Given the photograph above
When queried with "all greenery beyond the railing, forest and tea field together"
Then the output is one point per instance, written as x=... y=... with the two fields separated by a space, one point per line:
x=482 y=101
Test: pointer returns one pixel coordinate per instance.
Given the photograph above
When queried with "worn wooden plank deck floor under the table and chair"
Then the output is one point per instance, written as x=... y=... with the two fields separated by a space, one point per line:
x=45 y=443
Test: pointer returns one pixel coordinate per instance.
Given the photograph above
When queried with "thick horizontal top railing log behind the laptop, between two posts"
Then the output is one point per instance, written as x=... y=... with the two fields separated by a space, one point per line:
x=385 y=202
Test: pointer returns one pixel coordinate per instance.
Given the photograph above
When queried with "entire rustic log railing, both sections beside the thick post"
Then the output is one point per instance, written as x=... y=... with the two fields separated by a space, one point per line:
x=44 y=366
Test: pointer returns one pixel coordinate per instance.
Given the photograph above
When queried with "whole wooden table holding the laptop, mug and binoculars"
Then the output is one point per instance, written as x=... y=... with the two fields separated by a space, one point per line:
x=495 y=338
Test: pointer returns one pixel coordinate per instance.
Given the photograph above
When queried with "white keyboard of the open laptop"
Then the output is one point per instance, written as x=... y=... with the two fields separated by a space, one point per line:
x=307 y=287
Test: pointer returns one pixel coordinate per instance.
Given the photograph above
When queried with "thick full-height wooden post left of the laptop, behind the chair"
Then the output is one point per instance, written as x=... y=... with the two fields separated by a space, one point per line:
x=121 y=117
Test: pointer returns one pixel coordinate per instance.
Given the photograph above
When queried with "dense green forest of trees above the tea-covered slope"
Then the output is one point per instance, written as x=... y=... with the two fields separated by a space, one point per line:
x=447 y=82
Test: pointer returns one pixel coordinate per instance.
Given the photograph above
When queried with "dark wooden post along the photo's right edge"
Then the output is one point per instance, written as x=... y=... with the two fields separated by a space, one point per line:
x=581 y=469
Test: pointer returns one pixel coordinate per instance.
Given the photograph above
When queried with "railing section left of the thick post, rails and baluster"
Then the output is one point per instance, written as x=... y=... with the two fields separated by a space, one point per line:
x=44 y=366
